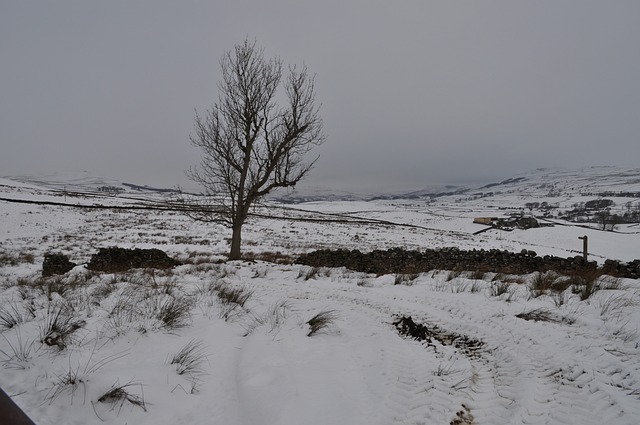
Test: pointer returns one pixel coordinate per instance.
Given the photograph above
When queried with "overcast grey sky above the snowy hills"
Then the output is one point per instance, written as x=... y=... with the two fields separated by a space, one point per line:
x=413 y=93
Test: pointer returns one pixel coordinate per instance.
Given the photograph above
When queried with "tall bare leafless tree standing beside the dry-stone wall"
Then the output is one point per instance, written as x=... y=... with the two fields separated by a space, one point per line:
x=250 y=143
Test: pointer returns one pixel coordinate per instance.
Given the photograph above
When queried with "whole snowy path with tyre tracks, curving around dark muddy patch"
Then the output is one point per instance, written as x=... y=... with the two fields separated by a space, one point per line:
x=525 y=372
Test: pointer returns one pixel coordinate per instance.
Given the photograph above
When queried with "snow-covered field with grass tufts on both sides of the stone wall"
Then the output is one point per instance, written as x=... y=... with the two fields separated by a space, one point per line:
x=164 y=347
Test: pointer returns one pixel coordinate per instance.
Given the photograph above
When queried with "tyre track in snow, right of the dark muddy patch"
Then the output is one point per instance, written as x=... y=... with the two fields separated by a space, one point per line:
x=525 y=371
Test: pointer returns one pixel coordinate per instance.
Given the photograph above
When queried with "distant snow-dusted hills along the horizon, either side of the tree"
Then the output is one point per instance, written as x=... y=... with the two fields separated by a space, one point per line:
x=545 y=183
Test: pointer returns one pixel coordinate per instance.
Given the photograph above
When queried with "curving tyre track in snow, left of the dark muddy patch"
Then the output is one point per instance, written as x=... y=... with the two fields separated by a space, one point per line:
x=412 y=394
